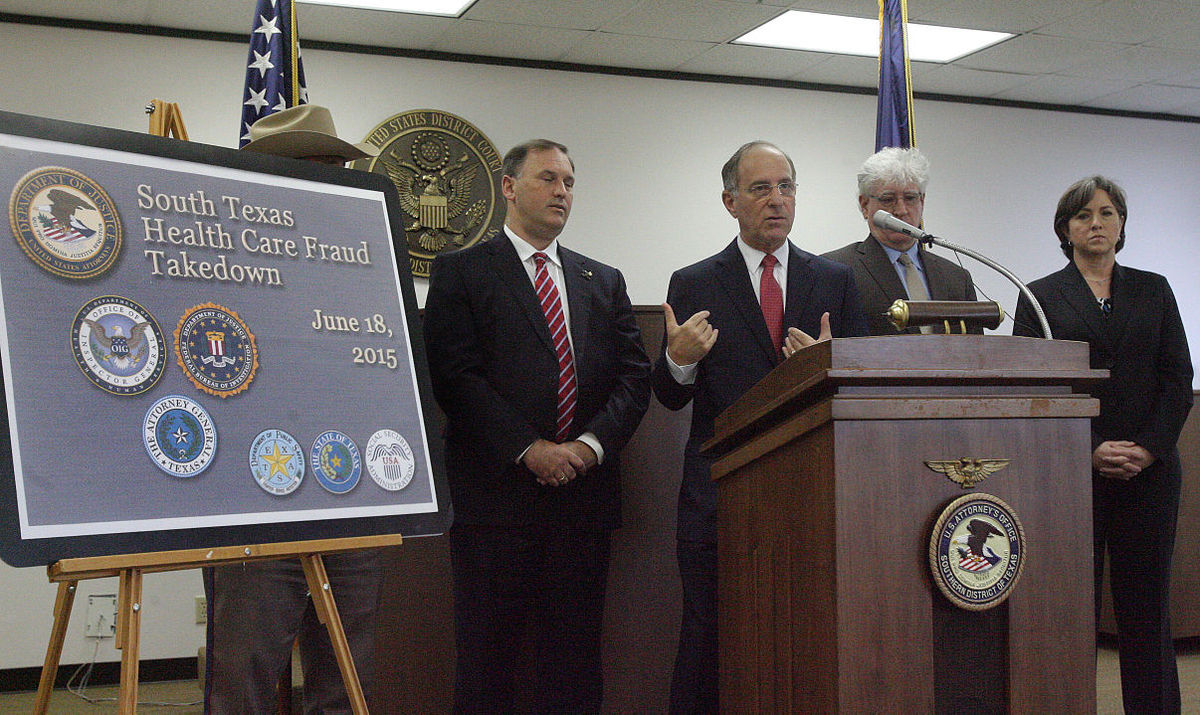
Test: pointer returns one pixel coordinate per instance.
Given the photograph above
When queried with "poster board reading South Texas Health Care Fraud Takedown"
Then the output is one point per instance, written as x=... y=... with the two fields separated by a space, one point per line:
x=203 y=347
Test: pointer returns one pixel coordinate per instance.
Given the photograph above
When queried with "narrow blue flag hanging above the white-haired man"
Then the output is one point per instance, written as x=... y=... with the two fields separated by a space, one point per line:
x=893 y=121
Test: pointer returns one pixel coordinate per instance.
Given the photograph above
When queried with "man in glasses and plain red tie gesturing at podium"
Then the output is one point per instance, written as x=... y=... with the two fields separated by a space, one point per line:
x=748 y=308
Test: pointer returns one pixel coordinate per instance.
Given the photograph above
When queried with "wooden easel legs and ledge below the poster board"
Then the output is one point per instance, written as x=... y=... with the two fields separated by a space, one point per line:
x=130 y=569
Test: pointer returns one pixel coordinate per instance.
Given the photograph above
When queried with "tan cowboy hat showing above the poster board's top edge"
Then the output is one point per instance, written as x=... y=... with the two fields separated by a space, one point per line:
x=305 y=130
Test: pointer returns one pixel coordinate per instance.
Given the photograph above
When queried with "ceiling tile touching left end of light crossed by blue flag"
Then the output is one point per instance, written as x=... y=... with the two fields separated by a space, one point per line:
x=707 y=21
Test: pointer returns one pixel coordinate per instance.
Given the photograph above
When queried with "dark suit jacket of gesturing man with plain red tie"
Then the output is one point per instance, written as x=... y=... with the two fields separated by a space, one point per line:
x=743 y=353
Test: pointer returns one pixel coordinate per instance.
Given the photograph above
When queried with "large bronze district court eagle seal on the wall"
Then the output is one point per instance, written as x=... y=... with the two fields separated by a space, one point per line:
x=448 y=176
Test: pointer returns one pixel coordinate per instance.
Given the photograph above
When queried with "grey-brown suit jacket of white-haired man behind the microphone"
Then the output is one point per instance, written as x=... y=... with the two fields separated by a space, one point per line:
x=879 y=286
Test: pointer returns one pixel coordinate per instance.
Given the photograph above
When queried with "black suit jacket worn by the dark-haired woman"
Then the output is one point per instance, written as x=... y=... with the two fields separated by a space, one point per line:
x=1149 y=393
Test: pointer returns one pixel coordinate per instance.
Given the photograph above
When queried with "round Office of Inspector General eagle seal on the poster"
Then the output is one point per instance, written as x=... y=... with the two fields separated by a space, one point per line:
x=118 y=345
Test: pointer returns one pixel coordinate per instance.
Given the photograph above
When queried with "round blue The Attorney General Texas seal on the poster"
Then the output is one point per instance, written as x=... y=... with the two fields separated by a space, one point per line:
x=179 y=436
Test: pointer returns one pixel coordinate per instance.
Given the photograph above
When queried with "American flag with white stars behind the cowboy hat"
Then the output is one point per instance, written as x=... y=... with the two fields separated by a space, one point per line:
x=274 y=73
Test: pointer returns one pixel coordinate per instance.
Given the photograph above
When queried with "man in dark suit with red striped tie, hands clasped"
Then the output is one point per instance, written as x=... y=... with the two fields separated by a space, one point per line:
x=538 y=363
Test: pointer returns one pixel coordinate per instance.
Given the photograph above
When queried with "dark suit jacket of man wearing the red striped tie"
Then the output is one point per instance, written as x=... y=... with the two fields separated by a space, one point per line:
x=496 y=376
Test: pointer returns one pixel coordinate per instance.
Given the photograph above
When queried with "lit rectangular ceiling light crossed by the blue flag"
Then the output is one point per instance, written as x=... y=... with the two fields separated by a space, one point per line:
x=860 y=37
